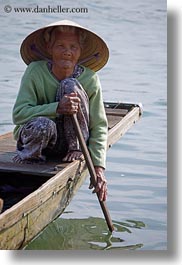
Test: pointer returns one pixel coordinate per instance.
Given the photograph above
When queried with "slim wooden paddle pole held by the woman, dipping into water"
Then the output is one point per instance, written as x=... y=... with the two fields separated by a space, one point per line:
x=91 y=169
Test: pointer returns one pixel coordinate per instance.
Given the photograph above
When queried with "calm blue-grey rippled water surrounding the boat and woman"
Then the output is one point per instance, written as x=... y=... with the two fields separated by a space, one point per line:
x=136 y=165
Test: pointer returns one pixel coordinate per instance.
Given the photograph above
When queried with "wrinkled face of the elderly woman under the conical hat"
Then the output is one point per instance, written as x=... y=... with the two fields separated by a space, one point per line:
x=65 y=50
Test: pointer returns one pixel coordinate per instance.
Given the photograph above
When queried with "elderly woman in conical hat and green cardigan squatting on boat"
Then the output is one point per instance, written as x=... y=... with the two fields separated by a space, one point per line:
x=60 y=80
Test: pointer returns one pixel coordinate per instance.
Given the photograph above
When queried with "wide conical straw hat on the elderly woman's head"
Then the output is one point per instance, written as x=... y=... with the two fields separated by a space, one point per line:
x=94 y=54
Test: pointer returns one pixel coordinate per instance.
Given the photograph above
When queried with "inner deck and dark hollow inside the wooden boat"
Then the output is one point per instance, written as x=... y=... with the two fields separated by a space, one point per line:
x=19 y=180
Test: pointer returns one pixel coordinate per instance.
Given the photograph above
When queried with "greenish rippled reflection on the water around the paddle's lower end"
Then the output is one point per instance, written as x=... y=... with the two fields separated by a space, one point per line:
x=85 y=234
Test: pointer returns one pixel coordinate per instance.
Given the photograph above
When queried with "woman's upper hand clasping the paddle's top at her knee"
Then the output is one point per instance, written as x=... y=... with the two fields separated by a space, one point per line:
x=69 y=104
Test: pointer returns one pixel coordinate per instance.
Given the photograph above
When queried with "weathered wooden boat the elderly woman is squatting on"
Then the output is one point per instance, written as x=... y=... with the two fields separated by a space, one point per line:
x=37 y=194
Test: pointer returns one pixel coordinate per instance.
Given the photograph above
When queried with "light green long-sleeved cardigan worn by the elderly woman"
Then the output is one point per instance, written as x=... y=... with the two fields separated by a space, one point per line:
x=37 y=95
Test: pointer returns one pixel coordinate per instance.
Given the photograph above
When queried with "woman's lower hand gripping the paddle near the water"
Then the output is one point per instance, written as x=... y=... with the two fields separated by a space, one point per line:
x=101 y=186
